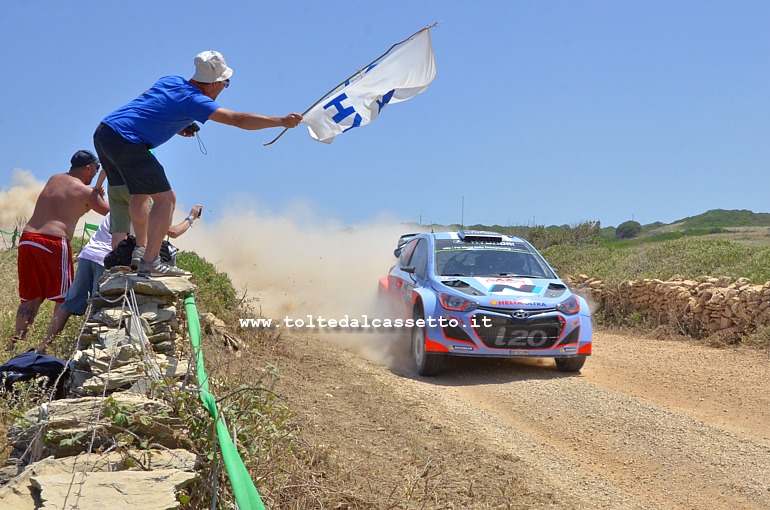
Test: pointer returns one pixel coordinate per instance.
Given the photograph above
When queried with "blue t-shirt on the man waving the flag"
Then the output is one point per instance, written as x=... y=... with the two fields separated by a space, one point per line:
x=170 y=105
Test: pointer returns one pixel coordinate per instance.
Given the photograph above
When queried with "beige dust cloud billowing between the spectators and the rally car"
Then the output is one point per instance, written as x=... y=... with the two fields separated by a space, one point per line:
x=303 y=268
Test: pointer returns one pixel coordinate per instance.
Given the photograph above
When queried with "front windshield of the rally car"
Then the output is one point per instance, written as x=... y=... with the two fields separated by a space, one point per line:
x=491 y=260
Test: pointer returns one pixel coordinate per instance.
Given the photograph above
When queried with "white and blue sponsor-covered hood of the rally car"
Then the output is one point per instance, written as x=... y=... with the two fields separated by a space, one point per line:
x=497 y=290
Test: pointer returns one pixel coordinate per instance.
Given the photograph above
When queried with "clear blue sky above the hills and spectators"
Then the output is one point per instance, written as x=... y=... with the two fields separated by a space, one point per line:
x=549 y=112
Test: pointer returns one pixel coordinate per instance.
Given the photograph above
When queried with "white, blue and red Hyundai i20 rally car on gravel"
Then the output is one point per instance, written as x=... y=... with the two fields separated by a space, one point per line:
x=473 y=293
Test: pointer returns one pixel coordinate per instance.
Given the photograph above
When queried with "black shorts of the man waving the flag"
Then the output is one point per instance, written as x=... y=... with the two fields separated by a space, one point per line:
x=129 y=163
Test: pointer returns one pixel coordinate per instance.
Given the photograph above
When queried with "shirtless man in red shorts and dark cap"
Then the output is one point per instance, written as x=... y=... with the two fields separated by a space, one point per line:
x=45 y=258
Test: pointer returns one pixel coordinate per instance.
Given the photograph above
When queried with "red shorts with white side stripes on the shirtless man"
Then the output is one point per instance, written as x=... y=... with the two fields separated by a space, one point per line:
x=45 y=267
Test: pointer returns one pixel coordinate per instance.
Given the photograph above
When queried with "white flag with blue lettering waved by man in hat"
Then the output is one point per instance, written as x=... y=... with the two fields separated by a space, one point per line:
x=401 y=74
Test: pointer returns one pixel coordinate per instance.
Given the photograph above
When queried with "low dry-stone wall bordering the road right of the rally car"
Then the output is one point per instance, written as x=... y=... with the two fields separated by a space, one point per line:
x=696 y=307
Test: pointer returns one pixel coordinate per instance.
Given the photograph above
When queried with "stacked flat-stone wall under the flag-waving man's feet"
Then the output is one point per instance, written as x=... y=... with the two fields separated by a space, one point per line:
x=128 y=345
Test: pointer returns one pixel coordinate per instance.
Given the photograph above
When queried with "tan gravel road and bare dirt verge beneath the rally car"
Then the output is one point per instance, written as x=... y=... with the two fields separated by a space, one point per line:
x=647 y=424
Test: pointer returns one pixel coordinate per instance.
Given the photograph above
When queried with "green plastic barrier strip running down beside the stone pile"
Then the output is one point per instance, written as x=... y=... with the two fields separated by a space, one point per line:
x=246 y=494
